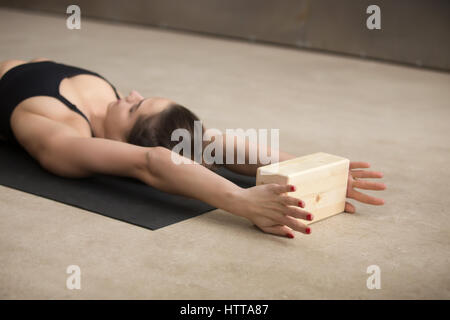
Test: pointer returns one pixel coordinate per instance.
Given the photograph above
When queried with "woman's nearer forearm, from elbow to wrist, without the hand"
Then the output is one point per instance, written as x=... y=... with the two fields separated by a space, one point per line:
x=188 y=179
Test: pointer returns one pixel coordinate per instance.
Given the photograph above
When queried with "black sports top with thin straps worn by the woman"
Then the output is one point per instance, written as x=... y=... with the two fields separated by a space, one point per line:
x=35 y=79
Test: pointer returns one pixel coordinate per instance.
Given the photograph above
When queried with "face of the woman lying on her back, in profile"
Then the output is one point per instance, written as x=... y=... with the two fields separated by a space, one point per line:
x=122 y=114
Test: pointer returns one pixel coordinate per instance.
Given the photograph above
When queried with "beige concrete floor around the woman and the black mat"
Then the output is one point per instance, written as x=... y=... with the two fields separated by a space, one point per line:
x=395 y=117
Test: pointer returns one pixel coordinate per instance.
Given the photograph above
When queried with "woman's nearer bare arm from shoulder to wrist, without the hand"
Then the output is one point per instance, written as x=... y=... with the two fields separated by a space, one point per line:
x=61 y=150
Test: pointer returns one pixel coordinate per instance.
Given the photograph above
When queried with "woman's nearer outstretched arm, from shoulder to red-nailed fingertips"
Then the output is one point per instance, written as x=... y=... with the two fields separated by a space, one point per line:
x=61 y=150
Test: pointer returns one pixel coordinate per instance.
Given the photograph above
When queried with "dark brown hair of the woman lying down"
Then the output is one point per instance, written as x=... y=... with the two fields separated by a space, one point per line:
x=156 y=130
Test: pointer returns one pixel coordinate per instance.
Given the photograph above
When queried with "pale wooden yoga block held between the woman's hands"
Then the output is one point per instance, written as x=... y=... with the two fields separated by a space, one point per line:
x=320 y=180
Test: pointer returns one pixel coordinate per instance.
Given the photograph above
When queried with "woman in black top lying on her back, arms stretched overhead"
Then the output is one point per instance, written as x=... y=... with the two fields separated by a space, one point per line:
x=75 y=124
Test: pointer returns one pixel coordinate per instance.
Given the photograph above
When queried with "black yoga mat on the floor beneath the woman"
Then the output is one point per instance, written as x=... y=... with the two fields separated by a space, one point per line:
x=120 y=198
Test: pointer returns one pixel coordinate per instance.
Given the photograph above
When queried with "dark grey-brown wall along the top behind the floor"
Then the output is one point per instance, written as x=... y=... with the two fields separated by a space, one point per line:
x=415 y=32
